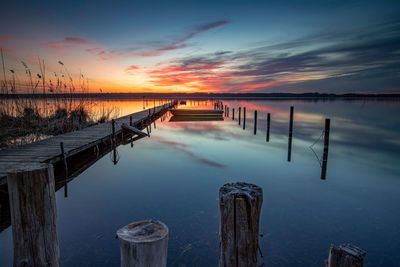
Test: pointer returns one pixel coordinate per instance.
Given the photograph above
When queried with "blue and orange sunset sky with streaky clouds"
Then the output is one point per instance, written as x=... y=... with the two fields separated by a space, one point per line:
x=206 y=46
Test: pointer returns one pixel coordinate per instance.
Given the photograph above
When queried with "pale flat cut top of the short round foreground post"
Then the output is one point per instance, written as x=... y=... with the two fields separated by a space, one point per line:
x=143 y=231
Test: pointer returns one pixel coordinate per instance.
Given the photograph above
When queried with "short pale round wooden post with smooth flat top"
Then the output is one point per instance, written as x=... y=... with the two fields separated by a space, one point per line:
x=143 y=244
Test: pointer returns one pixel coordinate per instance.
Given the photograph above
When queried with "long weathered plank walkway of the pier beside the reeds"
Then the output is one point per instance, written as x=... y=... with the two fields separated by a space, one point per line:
x=48 y=150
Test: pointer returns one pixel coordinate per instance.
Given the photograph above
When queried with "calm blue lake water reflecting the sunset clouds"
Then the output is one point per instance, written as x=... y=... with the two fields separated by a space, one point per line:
x=174 y=176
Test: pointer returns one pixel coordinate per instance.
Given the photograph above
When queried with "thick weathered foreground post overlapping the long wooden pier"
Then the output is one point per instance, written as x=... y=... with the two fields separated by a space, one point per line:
x=31 y=190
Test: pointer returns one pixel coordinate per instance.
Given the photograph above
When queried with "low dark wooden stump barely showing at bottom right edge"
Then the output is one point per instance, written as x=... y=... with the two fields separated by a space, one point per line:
x=345 y=256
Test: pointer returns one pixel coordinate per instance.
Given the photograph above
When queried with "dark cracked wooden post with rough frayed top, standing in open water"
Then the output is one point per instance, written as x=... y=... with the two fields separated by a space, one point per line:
x=240 y=206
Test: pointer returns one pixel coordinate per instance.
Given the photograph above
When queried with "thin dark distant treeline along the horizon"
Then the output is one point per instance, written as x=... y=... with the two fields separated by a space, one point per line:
x=202 y=96
